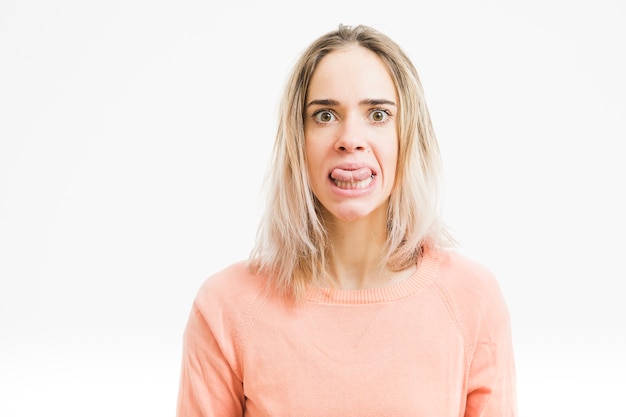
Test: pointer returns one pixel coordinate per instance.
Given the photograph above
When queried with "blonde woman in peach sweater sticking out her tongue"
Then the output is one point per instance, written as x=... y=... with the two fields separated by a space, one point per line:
x=351 y=304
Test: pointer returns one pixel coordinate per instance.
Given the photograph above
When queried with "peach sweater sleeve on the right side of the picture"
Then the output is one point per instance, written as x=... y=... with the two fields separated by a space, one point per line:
x=491 y=383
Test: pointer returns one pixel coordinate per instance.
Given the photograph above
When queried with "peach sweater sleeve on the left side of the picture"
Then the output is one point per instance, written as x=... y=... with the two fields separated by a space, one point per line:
x=209 y=387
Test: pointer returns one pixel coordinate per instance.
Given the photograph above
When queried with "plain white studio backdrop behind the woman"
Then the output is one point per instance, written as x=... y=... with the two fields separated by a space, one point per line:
x=134 y=137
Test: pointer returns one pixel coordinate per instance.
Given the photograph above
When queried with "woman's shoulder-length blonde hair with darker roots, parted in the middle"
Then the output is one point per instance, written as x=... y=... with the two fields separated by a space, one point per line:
x=292 y=243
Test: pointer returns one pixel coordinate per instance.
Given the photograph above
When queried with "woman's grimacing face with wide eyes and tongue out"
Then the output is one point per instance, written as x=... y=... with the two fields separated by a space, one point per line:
x=351 y=134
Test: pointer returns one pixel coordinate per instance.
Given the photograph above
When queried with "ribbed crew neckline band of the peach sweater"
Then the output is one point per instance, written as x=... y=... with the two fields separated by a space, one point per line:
x=424 y=274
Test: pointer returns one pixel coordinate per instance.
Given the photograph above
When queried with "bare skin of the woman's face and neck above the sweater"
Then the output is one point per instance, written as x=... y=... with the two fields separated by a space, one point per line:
x=351 y=139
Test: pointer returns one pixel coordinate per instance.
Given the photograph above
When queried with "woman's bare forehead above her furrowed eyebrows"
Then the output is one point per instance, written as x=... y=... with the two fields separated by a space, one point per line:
x=352 y=72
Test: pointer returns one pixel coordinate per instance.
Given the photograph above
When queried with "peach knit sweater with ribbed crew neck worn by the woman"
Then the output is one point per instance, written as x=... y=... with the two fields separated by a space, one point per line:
x=437 y=344
